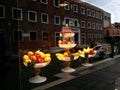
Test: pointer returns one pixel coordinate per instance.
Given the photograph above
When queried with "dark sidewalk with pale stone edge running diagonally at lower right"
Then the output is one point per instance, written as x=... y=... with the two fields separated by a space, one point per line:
x=103 y=75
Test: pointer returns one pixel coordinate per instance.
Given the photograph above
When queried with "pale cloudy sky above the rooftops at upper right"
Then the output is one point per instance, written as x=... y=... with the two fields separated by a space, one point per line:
x=111 y=6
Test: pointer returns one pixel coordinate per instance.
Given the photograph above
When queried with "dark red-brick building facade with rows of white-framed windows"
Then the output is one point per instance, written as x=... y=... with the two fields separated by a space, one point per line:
x=34 y=24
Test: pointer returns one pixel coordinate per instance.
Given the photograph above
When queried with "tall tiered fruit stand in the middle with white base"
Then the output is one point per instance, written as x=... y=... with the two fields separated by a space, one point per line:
x=67 y=43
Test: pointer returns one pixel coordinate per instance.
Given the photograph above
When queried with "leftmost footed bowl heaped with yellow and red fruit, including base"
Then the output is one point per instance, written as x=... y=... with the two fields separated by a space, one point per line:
x=39 y=60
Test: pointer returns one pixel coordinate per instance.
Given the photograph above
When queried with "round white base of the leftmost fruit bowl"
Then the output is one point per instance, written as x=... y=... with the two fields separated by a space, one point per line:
x=37 y=79
